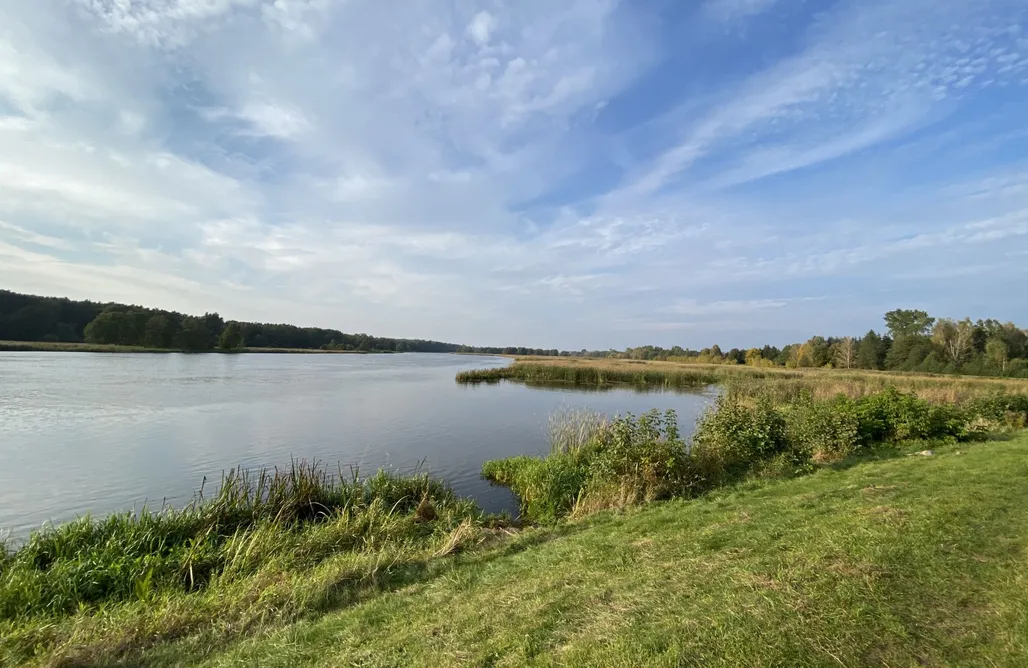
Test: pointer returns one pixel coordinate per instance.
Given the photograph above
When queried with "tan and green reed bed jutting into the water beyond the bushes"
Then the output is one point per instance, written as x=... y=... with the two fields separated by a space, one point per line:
x=782 y=385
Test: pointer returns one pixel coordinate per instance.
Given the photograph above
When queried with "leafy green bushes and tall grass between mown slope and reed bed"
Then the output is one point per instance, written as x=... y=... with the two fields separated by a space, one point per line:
x=629 y=460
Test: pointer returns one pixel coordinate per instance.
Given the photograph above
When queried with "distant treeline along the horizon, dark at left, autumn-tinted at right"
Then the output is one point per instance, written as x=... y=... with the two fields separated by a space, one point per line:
x=913 y=341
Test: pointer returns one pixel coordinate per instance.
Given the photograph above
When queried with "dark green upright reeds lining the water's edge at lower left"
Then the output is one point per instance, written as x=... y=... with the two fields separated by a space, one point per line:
x=296 y=517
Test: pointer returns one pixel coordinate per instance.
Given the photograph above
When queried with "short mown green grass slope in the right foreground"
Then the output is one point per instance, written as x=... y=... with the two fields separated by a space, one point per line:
x=907 y=562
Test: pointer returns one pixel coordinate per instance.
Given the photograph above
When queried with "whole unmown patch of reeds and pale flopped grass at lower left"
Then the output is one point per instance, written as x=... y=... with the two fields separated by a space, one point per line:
x=271 y=547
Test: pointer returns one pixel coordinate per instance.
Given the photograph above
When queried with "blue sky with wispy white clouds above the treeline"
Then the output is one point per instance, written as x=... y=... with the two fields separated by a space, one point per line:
x=586 y=173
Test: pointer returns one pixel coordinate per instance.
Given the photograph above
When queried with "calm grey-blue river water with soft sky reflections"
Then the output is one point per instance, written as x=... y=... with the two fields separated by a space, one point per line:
x=101 y=433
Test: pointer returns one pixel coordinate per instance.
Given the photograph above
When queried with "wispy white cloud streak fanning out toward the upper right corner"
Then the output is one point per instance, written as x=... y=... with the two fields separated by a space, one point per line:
x=856 y=71
